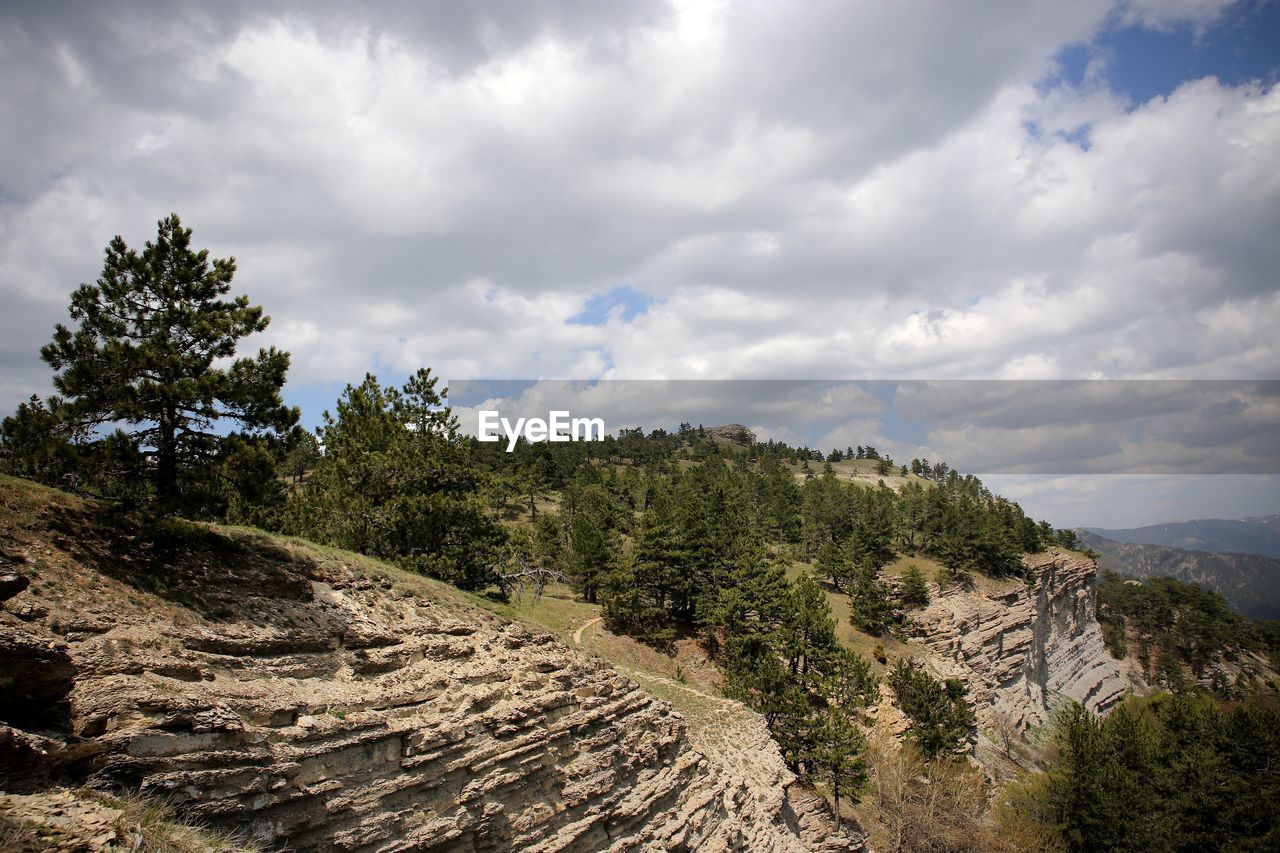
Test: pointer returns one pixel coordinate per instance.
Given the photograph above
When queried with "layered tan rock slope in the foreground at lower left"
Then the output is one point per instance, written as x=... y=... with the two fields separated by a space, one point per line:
x=323 y=703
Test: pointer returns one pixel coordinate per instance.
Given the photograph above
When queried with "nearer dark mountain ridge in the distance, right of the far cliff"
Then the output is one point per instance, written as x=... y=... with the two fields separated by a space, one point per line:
x=1250 y=582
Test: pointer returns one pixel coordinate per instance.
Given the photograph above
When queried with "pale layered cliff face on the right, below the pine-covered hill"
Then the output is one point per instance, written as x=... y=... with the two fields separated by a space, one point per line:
x=1020 y=646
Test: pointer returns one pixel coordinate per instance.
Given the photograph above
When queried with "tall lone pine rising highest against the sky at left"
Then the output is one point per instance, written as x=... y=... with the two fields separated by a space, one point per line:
x=148 y=337
